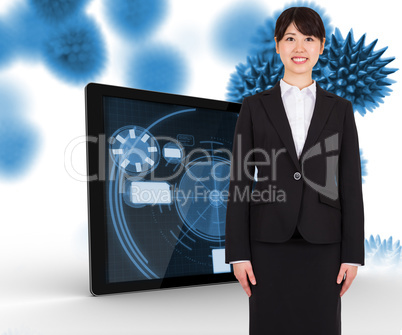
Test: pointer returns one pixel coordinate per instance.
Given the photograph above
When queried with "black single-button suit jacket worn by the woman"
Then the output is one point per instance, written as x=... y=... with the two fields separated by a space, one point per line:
x=320 y=193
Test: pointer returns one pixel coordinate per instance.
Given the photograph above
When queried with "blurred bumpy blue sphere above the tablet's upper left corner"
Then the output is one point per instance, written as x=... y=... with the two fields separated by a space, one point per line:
x=75 y=51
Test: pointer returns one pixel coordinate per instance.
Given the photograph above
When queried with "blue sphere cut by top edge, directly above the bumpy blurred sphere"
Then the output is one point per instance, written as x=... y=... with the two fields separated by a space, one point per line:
x=55 y=11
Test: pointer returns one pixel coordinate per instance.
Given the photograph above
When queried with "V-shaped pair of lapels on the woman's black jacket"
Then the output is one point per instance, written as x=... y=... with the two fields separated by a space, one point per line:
x=275 y=110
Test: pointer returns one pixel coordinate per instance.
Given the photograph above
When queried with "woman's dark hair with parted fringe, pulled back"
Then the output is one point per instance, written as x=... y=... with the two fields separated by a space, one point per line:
x=306 y=20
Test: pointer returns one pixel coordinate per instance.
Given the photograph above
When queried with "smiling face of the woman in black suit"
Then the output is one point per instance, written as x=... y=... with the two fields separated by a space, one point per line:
x=299 y=53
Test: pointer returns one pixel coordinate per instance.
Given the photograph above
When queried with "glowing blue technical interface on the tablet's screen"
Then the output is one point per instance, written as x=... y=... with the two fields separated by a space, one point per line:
x=167 y=178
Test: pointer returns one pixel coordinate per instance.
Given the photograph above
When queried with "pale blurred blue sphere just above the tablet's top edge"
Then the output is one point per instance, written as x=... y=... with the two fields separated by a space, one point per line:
x=158 y=68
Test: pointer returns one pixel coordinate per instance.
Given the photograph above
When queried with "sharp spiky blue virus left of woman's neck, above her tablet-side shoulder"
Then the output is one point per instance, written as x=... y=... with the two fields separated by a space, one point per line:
x=255 y=76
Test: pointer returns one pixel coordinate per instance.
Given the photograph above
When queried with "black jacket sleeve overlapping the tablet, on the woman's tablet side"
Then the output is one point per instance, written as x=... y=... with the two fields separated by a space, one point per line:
x=237 y=239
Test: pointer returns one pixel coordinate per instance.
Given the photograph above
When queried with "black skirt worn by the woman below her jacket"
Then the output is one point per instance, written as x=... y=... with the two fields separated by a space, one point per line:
x=296 y=291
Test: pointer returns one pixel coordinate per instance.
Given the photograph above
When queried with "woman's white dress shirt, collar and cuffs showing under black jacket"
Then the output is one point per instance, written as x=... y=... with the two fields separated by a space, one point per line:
x=299 y=108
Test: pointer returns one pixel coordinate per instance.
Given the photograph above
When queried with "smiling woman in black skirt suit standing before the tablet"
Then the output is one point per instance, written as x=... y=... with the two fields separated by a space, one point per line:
x=295 y=237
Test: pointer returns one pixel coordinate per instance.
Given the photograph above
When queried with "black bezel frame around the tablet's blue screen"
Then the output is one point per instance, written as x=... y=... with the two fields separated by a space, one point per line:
x=96 y=189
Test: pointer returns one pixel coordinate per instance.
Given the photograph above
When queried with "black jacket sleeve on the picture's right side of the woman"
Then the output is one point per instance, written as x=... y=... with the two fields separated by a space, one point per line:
x=351 y=195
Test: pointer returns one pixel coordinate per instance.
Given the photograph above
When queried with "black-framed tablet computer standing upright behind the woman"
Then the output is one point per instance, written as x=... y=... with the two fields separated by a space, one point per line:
x=158 y=169
